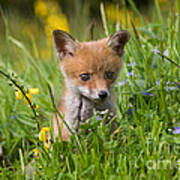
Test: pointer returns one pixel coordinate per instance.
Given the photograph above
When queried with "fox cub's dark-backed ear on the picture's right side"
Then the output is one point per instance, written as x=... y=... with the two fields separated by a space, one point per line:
x=118 y=40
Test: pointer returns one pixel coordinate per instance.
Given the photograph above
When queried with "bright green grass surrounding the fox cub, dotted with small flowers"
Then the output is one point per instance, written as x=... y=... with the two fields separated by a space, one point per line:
x=147 y=99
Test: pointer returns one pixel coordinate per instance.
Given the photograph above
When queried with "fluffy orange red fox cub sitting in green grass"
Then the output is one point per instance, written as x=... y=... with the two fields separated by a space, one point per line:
x=90 y=70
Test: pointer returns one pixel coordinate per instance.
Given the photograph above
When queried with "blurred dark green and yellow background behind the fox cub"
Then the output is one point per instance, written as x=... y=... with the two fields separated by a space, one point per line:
x=32 y=21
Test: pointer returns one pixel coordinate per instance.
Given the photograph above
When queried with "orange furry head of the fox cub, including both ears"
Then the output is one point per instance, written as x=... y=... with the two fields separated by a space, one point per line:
x=90 y=68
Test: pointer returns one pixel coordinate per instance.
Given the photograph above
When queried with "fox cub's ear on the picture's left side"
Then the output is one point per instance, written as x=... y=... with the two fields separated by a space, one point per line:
x=64 y=44
